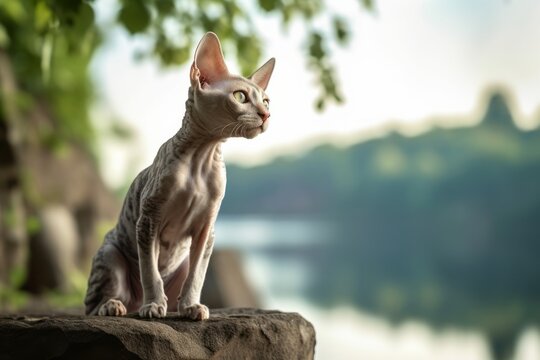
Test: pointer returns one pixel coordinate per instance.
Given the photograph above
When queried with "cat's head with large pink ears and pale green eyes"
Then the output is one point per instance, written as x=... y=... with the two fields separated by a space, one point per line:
x=227 y=105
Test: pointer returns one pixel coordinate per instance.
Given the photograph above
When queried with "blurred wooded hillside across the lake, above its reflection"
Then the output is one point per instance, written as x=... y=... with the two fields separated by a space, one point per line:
x=336 y=181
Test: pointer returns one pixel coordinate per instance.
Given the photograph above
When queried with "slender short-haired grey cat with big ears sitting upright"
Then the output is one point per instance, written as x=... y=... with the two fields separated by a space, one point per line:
x=164 y=237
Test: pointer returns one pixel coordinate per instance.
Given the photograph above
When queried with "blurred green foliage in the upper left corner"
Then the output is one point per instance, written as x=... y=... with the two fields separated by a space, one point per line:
x=50 y=44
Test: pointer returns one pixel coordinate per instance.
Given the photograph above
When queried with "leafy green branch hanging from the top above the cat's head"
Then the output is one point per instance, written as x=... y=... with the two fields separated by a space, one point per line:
x=233 y=21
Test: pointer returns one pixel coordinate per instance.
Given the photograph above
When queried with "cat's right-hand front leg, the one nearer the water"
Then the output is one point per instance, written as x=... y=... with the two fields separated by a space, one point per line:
x=189 y=305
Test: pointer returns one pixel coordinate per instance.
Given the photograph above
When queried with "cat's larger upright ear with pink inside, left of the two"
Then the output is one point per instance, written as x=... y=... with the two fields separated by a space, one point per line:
x=208 y=65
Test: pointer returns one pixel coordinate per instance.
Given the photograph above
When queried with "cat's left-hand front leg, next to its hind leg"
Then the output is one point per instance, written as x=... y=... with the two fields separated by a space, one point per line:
x=154 y=299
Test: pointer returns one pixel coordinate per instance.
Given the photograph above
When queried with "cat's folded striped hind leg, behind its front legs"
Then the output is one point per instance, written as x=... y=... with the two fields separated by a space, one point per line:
x=108 y=291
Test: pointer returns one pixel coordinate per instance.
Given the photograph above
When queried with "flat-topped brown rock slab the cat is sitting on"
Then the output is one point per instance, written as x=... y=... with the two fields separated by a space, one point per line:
x=228 y=334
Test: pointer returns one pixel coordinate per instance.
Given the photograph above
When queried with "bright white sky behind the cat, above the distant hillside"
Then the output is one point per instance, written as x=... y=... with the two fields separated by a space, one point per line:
x=407 y=63
